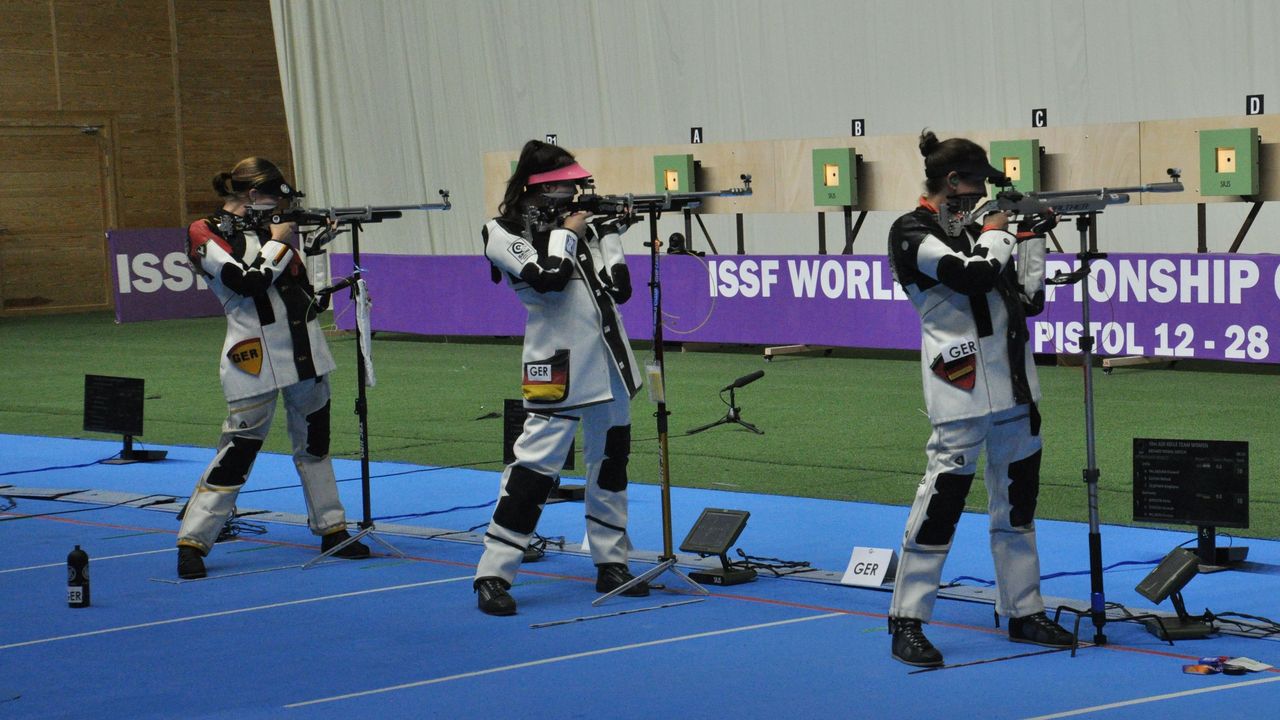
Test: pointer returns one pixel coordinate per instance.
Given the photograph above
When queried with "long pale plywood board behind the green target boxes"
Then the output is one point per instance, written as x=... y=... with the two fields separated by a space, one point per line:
x=893 y=170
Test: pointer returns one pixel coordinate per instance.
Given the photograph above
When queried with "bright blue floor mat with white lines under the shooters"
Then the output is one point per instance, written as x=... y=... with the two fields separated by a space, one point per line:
x=401 y=639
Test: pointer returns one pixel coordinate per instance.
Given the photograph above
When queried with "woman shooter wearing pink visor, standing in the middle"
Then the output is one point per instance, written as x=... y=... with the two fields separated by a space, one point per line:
x=572 y=275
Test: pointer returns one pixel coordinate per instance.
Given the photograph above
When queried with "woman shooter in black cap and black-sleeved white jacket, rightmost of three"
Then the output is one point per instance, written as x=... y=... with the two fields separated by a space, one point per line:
x=981 y=393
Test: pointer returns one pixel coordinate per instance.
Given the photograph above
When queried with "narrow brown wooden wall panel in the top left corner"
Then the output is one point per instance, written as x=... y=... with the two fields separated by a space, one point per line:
x=28 y=57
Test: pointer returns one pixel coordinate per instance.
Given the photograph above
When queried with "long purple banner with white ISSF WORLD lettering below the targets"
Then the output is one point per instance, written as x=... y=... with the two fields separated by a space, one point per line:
x=1208 y=307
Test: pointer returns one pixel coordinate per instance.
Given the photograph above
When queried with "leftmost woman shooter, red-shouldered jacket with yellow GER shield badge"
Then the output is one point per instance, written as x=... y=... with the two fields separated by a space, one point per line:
x=275 y=345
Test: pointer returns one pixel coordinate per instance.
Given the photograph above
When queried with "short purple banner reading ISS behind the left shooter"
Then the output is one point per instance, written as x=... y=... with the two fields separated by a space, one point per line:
x=153 y=279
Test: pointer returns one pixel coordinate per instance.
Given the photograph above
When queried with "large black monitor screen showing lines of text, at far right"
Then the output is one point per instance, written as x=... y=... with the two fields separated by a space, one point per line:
x=1191 y=482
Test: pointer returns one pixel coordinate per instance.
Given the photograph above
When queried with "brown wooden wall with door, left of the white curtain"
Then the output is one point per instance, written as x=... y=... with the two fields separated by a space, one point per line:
x=182 y=89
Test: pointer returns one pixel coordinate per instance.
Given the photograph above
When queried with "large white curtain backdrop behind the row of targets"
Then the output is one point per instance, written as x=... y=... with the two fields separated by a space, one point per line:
x=390 y=101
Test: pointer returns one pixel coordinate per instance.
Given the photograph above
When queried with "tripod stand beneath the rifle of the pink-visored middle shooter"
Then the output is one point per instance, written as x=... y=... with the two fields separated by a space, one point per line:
x=668 y=560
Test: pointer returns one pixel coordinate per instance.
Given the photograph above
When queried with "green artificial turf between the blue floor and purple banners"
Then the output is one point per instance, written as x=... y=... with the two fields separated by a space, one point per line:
x=836 y=427
